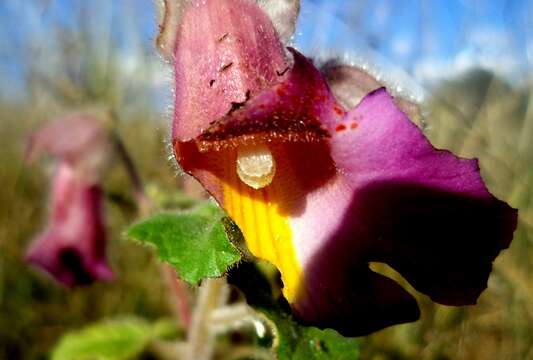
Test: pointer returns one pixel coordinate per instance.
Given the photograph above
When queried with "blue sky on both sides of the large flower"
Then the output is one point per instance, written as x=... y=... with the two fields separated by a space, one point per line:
x=430 y=40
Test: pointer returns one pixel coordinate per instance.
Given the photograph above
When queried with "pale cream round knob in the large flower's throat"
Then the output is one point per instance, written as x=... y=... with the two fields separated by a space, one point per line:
x=256 y=166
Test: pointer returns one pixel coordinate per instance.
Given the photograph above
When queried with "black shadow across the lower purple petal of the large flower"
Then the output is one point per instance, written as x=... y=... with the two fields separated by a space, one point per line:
x=442 y=242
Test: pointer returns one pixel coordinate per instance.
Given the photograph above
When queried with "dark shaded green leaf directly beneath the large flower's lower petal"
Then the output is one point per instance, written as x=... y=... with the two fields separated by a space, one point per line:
x=292 y=340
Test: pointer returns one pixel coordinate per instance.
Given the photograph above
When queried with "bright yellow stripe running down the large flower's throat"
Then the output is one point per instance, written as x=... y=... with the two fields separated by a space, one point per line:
x=267 y=232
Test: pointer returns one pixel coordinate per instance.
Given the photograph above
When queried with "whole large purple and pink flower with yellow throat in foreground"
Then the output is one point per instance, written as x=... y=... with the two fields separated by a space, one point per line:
x=320 y=191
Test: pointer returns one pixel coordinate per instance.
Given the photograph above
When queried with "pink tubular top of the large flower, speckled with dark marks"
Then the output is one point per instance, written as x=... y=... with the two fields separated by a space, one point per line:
x=226 y=52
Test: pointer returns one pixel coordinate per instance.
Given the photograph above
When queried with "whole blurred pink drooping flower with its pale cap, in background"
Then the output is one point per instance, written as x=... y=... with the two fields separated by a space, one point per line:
x=72 y=248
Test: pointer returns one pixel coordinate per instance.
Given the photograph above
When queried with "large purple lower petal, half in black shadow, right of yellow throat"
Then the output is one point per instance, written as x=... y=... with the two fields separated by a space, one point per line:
x=424 y=212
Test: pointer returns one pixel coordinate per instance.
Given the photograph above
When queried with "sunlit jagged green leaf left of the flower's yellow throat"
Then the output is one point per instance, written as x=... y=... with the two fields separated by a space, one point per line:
x=193 y=242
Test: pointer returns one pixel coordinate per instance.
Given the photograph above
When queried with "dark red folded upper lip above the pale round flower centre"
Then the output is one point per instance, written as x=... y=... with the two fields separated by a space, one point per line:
x=296 y=110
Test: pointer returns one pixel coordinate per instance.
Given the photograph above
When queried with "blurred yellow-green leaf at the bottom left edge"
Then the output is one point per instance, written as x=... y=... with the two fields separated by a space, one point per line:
x=108 y=340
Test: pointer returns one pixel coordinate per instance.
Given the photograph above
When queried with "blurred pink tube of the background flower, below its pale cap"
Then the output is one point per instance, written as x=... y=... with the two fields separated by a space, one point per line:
x=72 y=249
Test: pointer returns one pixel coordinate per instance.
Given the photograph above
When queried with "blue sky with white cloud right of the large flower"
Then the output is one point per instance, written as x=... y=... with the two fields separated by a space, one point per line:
x=429 y=39
